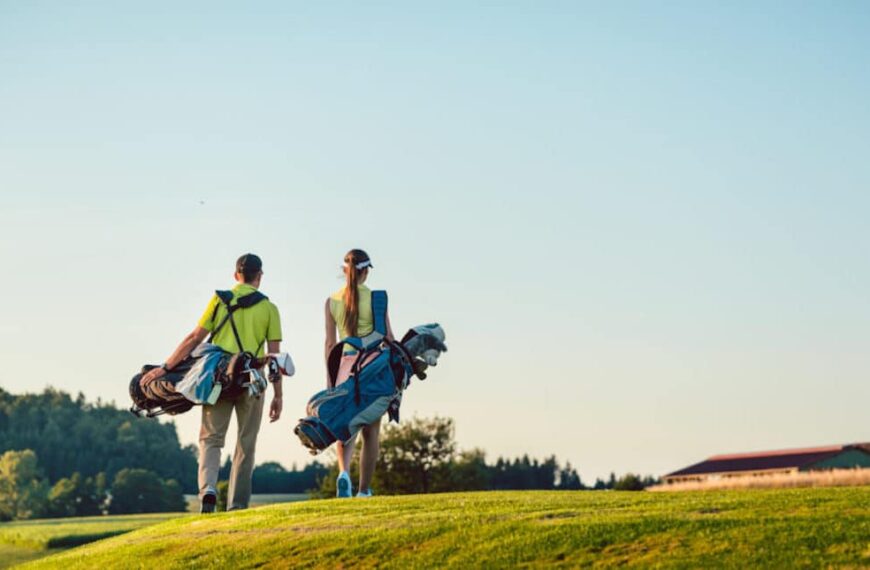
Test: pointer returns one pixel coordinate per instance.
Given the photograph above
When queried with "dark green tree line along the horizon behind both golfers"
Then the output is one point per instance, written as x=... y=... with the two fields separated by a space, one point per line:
x=64 y=456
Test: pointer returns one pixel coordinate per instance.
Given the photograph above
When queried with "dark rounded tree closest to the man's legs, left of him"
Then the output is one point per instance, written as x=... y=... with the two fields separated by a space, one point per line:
x=142 y=491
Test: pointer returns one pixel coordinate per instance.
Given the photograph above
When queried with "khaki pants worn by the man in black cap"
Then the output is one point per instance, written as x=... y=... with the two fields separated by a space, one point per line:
x=215 y=423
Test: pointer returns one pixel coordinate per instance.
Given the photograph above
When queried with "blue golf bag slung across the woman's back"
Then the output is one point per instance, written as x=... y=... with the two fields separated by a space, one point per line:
x=380 y=373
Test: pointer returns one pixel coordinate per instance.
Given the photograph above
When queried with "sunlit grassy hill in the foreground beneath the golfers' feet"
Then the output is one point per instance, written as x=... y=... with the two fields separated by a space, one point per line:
x=768 y=528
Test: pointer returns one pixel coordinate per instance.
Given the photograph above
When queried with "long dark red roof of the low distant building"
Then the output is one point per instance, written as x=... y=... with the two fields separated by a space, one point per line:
x=759 y=461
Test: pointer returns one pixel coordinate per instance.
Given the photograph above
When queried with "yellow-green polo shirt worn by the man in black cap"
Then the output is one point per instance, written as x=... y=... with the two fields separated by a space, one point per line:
x=255 y=324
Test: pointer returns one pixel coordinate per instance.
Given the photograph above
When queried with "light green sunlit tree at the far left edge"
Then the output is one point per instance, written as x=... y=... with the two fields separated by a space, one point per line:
x=23 y=491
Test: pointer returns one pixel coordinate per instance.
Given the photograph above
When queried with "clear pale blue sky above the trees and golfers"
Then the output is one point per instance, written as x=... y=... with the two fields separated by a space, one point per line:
x=643 y=225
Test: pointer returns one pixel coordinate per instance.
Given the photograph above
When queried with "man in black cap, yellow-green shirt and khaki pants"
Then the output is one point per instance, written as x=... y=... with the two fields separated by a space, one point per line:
x=254 y=325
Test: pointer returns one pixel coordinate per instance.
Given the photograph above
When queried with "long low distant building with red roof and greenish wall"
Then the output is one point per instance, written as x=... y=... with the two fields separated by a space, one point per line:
x=775 y=462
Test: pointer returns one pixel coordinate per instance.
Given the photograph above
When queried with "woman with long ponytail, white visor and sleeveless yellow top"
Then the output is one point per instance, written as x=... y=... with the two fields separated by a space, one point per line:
x=349 y=310
